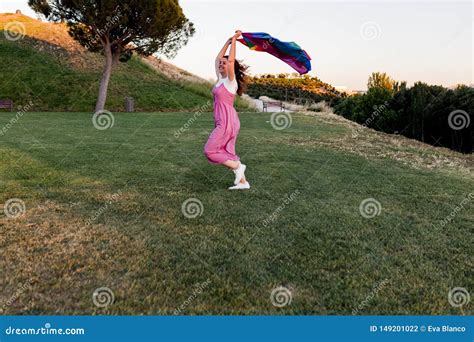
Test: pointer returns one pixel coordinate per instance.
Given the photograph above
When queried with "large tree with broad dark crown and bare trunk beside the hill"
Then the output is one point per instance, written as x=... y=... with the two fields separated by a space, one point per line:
x=118 y=28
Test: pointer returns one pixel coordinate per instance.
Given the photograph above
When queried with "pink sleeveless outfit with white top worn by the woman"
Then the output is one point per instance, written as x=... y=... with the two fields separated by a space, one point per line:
x=221 y=143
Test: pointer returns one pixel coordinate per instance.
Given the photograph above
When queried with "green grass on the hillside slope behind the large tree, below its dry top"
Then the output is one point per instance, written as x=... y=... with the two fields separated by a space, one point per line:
x=53 y=85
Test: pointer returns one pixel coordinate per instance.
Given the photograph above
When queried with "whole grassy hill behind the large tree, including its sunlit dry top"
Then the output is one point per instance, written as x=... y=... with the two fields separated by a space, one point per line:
x=48 y=68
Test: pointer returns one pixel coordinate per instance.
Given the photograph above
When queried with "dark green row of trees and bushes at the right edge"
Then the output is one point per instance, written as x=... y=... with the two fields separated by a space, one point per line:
x=429 y=113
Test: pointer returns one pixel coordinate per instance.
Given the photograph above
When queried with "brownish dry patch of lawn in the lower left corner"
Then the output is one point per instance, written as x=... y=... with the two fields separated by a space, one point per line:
x=53 y=262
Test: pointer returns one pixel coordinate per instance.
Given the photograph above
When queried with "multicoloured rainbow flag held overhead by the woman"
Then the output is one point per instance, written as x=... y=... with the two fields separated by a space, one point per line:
x=289 y=52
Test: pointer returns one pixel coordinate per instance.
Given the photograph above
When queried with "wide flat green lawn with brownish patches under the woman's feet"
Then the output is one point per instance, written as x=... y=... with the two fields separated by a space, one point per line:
x=104 y=209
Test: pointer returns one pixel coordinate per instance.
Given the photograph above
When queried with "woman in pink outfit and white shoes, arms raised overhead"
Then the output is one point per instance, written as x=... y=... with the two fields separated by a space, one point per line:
x=220 y=147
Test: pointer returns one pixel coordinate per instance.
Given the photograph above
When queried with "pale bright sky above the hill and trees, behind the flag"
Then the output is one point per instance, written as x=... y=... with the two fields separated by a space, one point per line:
x=429 y=41
